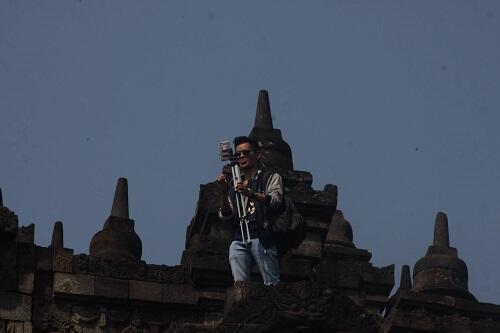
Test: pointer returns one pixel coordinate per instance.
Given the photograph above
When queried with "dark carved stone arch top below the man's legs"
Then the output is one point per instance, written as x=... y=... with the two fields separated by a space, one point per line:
x=310 y=307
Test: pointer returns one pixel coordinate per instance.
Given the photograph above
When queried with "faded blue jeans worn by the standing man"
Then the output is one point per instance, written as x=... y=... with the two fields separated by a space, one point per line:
x=240 y=258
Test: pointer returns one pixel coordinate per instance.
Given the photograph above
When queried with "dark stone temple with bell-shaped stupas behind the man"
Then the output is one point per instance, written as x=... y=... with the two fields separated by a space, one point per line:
x=329 y=284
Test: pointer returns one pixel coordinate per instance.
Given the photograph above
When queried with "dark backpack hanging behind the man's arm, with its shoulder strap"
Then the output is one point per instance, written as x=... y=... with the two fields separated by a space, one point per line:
x=286 y=225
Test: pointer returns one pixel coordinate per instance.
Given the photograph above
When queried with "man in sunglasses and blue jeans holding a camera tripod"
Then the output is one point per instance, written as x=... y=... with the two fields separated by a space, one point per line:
x=262 y=200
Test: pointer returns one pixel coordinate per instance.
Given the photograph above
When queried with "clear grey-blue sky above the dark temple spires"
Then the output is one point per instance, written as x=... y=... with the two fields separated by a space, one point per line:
x=395 y=102
